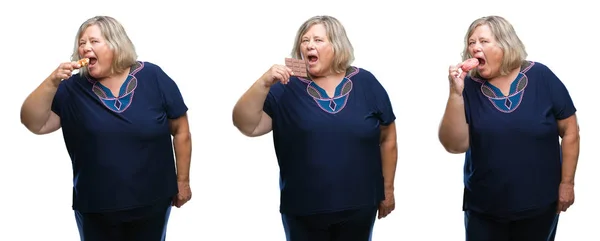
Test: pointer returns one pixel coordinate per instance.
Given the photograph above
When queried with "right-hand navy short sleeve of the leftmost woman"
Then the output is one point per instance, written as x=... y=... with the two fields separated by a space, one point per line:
x=173 y=100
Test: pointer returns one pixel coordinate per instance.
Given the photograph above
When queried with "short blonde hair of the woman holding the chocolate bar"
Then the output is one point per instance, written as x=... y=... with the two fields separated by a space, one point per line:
x=336 y=33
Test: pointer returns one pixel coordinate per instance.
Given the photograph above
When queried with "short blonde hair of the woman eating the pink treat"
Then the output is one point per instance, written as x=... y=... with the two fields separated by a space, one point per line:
x=507 y=39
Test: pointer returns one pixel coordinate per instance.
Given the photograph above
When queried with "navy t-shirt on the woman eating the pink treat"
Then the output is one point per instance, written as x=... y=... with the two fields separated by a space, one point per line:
x=513 y=166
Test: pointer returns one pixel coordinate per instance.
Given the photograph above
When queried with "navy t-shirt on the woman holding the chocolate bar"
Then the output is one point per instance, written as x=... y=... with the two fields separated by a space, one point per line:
x=328 y=148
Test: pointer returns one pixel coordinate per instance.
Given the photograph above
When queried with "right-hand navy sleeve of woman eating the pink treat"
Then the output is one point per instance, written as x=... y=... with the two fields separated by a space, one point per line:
x=562 y=104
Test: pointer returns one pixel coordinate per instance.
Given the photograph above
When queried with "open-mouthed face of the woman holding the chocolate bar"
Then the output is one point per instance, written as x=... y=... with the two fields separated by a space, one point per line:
x=317 y=51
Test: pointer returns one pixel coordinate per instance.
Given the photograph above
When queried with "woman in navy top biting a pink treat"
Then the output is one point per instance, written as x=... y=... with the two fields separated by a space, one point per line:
x=507 y=115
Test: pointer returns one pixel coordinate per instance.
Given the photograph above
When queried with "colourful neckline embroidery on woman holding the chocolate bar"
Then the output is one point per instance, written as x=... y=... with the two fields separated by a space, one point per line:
x=339 y=100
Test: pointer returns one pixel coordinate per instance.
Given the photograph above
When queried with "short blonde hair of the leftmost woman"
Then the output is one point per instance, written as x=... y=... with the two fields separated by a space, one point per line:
x=124 y=54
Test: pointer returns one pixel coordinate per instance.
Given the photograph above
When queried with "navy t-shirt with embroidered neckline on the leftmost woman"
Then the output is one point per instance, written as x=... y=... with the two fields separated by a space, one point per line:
x=120 y=146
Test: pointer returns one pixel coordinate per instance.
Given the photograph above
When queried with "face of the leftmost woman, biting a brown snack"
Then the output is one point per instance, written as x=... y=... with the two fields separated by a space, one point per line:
x=93 y=46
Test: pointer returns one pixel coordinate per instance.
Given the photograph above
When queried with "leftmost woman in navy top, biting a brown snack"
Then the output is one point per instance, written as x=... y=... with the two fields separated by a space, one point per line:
x=117 y=117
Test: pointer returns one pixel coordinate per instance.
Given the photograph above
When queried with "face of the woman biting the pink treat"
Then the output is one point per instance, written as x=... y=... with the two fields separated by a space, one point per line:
x=483 y=46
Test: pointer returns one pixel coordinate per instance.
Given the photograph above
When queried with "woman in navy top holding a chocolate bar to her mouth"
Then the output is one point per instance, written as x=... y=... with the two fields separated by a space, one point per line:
x=334 y=137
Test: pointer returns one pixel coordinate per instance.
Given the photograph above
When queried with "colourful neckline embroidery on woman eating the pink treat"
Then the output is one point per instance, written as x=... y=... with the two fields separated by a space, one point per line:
x=510 y=102
